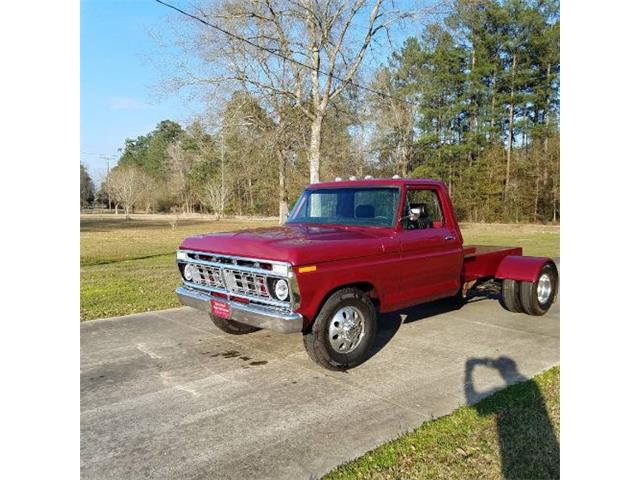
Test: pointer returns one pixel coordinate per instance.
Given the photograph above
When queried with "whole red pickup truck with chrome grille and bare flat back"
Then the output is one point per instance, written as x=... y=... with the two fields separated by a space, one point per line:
x=350 y=250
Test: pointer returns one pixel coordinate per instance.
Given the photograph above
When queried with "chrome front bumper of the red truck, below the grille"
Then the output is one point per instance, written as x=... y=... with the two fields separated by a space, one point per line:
x=250 y=314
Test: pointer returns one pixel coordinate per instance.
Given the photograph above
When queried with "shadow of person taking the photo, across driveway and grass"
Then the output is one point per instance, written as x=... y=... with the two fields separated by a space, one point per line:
x=528 y=444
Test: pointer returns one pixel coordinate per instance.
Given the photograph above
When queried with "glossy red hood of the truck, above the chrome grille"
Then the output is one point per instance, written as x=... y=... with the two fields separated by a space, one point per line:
x=296 y=244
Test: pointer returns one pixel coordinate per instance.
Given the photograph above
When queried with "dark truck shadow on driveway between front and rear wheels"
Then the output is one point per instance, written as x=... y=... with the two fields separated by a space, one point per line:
x=389 y=323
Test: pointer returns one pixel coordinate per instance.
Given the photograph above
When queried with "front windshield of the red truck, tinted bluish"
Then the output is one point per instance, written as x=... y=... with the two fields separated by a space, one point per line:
x=347 y=206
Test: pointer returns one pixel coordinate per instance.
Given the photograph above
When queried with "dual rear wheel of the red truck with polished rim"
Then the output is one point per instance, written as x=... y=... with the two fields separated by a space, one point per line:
x=532 y=298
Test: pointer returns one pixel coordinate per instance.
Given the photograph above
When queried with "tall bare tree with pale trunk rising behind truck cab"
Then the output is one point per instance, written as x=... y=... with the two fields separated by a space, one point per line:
x=304 y=53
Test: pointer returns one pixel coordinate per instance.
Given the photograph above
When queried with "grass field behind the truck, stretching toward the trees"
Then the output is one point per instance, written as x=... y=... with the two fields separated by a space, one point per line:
x=128 y=266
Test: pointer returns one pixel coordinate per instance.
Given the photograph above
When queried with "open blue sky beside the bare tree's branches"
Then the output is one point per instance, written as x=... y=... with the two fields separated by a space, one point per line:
x=119 y=79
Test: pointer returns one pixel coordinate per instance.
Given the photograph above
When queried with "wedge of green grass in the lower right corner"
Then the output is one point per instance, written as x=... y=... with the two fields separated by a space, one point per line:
x=511 y=434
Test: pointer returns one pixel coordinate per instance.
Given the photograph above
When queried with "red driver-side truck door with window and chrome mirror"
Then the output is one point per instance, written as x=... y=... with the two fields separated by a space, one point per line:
x=431 y=246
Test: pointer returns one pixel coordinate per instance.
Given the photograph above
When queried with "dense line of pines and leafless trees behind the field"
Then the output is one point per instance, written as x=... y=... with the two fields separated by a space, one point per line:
x=473 y=101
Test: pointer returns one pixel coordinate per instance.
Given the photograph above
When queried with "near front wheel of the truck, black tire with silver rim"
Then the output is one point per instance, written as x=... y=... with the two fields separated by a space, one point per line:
x=344 y=331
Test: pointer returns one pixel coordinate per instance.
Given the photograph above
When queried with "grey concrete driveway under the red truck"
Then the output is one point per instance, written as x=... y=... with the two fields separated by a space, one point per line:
x=167 y=395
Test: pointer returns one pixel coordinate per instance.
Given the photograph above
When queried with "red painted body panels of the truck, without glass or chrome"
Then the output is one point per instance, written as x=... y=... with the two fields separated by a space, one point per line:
x=402 y=267
